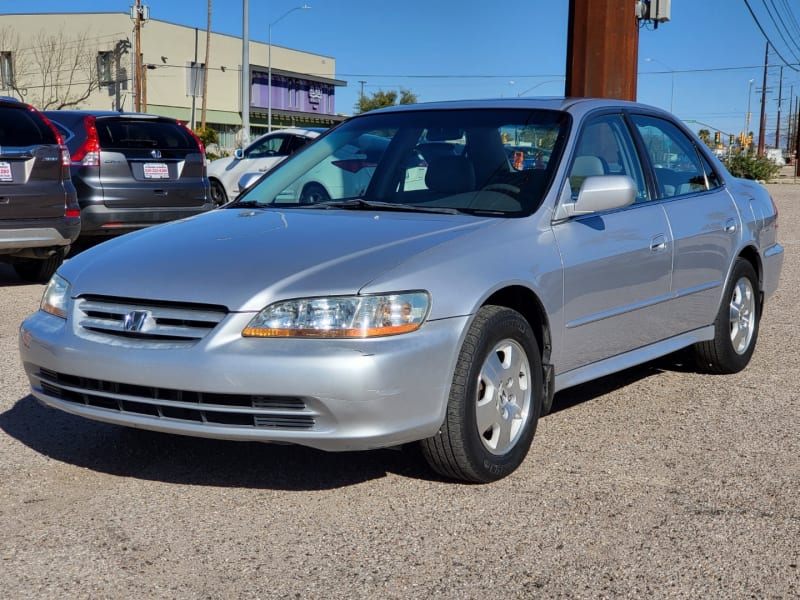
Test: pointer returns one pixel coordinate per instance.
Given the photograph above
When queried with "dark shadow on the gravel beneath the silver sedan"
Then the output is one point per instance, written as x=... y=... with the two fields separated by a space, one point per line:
x=129 y=452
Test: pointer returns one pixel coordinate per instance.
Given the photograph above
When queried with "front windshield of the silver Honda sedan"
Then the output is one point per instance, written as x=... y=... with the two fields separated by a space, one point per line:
x=482 y=161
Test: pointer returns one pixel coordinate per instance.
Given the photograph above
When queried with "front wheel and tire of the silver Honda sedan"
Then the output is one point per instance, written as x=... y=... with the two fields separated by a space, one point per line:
x=460 y=450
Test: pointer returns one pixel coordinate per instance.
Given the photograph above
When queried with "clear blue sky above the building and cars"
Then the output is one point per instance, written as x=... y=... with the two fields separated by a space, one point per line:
x=701 y=62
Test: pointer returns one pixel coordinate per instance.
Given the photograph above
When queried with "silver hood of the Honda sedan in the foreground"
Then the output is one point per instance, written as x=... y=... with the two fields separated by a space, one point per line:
x=244 y=259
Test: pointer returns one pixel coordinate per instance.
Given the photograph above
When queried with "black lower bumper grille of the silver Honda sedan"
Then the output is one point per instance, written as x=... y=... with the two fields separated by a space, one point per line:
x=229 y=410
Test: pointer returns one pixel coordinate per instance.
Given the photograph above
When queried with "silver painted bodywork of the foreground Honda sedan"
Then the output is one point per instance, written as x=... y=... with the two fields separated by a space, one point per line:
x=602 y=316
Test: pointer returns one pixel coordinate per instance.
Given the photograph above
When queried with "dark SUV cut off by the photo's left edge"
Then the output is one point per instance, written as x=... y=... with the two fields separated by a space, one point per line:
x=39 y=213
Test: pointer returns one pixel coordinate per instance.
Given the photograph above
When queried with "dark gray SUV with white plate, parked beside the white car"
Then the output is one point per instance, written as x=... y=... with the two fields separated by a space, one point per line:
x=133 y=170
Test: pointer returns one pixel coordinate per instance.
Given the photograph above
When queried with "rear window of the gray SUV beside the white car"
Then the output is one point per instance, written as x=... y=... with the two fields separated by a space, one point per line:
x=122 y=134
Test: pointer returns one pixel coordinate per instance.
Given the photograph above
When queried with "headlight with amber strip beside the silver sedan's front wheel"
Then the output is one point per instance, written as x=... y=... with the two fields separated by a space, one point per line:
x=342 y=316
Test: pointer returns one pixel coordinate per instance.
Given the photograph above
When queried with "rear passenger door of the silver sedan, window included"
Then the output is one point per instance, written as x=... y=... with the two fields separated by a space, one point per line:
x=702 y=216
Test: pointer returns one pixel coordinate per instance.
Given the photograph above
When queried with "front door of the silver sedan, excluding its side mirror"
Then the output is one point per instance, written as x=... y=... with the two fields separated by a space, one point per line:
x=617 y=264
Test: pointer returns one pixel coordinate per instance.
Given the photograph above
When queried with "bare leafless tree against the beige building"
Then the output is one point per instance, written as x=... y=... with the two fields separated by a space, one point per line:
x=52 y=70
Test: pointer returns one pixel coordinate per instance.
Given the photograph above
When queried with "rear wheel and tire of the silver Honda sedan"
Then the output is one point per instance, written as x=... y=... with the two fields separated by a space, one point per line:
x=736 y=326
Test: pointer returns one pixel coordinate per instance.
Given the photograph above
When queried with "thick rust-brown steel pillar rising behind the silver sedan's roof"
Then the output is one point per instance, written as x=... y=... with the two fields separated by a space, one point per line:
x=602 y=49
